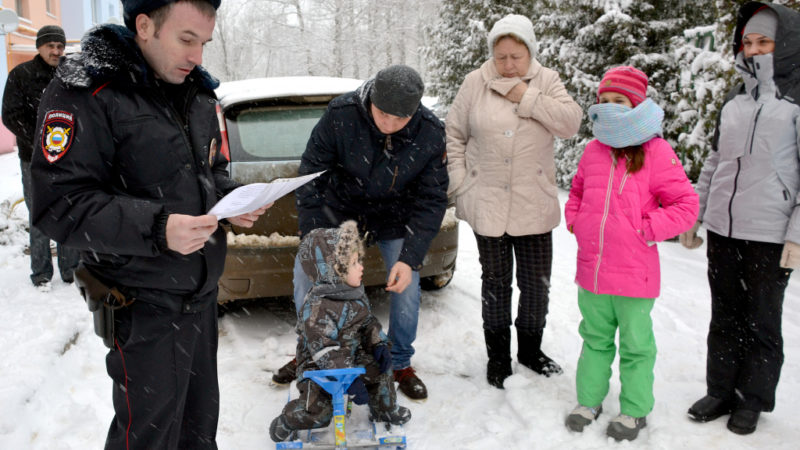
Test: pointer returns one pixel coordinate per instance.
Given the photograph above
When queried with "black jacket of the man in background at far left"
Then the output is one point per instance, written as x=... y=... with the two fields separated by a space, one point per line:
x=21 y=101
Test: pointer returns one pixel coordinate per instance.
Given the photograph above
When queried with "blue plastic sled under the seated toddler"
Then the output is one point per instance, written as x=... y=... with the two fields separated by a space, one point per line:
x=336 y=382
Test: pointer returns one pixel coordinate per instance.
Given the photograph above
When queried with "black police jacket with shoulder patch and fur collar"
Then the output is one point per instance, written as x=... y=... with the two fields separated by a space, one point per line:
x=114 y=157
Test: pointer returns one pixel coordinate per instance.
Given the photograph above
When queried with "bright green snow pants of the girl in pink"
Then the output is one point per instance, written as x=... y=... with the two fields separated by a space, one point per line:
x=602 y=314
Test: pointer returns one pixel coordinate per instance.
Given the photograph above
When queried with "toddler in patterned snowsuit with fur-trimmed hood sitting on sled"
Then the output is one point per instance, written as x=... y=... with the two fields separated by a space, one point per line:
x=337 y=330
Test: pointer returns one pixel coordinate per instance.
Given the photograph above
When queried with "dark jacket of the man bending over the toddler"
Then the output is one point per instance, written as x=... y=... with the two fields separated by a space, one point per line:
x=394 y=186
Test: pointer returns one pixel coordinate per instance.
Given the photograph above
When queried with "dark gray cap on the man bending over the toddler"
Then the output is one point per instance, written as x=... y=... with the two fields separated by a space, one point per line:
x=397 y=90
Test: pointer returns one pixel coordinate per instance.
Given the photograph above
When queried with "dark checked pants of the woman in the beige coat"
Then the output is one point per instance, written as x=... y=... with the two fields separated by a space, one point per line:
x=534 y=257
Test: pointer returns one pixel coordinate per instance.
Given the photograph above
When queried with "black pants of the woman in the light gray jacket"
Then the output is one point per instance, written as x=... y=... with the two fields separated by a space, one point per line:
x=745 y=345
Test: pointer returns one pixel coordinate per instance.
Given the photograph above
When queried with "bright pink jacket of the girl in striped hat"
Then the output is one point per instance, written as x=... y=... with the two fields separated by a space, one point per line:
x=617 y=217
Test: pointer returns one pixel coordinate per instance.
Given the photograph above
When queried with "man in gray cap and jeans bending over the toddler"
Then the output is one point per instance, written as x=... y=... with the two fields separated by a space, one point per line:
x=384 y=153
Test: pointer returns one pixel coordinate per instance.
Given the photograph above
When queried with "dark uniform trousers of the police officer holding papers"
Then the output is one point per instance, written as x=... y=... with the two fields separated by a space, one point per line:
x=164 y=370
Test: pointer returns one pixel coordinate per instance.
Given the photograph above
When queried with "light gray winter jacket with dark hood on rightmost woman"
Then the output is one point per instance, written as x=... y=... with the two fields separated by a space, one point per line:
x=750 y=183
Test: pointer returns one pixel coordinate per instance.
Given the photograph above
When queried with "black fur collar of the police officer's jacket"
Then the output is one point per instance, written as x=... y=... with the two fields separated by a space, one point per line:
x=110 y=53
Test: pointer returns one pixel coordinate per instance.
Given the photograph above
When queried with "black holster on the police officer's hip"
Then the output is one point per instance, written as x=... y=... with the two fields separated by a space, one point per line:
x=102 y=301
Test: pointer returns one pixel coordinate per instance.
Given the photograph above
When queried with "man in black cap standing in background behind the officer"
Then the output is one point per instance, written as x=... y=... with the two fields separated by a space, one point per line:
x=24 y=88
